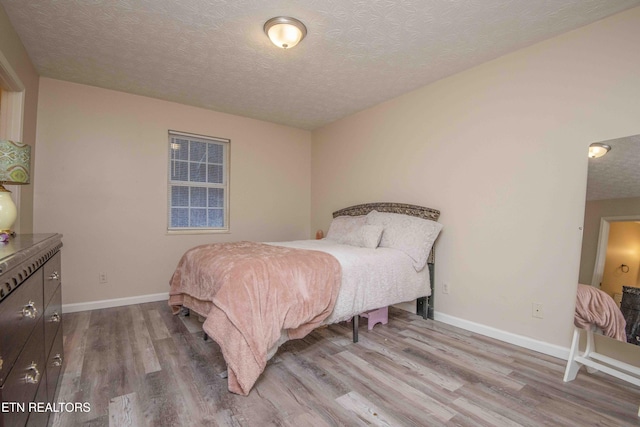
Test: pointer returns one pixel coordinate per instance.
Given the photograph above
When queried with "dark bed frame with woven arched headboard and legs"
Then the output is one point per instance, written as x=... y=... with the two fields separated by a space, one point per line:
x=424 y=305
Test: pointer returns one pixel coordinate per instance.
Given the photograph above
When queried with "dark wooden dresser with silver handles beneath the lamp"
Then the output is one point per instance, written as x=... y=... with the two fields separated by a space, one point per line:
x=31 y=353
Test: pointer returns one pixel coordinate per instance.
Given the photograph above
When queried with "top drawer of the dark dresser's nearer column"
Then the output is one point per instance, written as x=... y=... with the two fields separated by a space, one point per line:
x=19 y=314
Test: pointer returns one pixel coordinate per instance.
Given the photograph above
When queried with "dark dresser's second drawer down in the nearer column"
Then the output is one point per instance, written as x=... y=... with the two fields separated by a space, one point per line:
x=28 y=371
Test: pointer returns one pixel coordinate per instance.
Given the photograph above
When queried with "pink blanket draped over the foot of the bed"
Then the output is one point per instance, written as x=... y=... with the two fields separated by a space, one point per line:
x=250 y=292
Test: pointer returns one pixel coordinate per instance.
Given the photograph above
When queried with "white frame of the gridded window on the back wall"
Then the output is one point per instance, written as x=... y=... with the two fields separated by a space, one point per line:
x=226 y=144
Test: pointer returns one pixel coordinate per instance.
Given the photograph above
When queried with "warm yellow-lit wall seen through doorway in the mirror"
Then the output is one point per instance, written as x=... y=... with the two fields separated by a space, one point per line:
x=623 y=248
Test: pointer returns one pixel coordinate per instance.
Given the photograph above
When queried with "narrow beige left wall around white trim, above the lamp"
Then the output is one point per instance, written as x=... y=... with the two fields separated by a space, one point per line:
x=12 y=49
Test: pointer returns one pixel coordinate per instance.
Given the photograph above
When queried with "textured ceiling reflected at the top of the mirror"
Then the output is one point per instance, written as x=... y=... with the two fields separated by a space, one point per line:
x=617 y=174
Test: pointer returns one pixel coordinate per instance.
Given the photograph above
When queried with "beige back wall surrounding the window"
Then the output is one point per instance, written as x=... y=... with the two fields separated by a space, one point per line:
x=102 y=183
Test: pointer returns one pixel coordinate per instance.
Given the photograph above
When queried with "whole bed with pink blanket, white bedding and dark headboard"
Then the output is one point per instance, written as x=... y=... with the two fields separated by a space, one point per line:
x=256 y=296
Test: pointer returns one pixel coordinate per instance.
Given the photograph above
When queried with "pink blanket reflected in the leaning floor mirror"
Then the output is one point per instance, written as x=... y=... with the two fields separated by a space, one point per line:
x=595 y=307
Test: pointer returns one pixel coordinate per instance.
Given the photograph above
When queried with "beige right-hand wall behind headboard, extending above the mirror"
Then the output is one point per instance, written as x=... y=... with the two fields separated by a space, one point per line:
x=501 y=150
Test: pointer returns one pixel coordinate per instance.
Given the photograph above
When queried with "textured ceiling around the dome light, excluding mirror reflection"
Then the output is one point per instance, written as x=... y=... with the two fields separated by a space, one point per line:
x=214 y=54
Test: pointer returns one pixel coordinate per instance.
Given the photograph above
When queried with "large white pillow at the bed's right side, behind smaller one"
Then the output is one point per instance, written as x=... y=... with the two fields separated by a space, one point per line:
x=411 y=235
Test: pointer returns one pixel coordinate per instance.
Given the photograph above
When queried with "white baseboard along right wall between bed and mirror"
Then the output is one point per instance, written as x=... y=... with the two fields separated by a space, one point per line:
x=519 y=340
